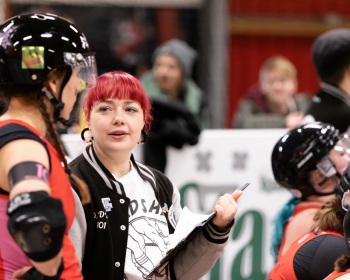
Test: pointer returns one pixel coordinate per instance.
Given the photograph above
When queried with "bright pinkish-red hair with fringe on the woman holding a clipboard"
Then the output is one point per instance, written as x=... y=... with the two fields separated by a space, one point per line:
x=119 y=85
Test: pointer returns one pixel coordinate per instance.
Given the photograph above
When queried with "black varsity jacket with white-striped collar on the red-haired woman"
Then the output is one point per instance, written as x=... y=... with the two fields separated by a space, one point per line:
x=105 y=251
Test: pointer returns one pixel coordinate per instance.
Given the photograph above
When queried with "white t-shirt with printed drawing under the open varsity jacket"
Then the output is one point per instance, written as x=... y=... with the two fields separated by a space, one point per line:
x=148 y=232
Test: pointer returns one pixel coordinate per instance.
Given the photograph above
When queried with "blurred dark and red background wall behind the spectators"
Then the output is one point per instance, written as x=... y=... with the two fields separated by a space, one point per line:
x=256 y=30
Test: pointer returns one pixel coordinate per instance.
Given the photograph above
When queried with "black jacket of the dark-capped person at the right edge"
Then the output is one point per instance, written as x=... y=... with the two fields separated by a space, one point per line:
x=327 y=108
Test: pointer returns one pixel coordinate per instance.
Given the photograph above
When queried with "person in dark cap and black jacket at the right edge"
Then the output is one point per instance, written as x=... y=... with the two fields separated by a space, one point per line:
x=331 y=58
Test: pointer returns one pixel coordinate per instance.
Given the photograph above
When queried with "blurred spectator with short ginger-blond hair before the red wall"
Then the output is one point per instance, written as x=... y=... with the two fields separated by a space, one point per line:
x=274 y=103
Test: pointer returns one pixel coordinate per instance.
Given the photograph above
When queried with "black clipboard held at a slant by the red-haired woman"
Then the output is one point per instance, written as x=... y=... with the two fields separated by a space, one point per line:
x=180 y=245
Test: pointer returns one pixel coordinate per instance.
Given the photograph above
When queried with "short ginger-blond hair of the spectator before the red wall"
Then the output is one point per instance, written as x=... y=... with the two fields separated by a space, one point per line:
x=278 y=63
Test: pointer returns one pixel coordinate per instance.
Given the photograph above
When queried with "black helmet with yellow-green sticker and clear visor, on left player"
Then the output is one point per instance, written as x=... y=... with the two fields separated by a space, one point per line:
x=32 y=45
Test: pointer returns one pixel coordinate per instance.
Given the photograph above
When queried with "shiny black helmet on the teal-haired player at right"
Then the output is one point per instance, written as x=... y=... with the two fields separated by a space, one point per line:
x=299 y=152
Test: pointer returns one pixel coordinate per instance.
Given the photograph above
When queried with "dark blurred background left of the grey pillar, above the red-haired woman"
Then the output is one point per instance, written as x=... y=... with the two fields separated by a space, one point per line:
x=124 y=38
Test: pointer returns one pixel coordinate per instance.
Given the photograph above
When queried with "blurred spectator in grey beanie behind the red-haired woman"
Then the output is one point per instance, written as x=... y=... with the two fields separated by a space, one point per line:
x=178 y=103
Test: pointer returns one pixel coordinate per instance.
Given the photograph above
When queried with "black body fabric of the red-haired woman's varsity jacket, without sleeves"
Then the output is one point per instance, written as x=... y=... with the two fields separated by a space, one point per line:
x=105 y=251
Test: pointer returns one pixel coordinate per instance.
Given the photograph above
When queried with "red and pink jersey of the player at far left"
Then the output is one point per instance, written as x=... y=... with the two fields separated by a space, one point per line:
x=11 y=256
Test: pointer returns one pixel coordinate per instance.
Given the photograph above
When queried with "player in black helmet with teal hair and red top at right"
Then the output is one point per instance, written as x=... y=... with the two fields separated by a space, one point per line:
x=308 y=161
